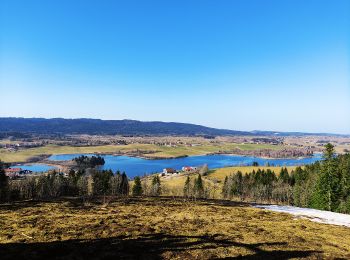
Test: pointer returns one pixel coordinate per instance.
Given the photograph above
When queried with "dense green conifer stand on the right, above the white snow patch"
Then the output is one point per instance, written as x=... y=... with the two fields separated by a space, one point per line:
x=322 y=185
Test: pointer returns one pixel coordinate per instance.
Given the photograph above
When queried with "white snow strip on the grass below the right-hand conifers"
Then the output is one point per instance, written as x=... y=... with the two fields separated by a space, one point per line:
x=316 y=215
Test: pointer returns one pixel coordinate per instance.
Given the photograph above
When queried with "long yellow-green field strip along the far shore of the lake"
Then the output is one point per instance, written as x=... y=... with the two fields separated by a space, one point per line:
x=156 y=150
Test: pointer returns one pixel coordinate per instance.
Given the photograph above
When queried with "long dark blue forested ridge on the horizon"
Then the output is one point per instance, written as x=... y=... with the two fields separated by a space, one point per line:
x=119 y=127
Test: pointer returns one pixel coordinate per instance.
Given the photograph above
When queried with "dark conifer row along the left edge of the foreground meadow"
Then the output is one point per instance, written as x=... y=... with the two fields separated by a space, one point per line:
x=54 y=185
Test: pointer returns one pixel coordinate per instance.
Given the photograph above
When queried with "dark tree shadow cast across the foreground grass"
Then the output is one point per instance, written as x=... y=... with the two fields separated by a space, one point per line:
x=152 y=246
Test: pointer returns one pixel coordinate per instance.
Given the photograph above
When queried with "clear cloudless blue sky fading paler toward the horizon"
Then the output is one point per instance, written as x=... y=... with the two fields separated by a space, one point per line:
x=236 y=64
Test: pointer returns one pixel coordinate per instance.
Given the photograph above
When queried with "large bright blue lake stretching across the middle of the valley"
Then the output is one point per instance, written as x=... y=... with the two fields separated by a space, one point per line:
x=138 y=166
